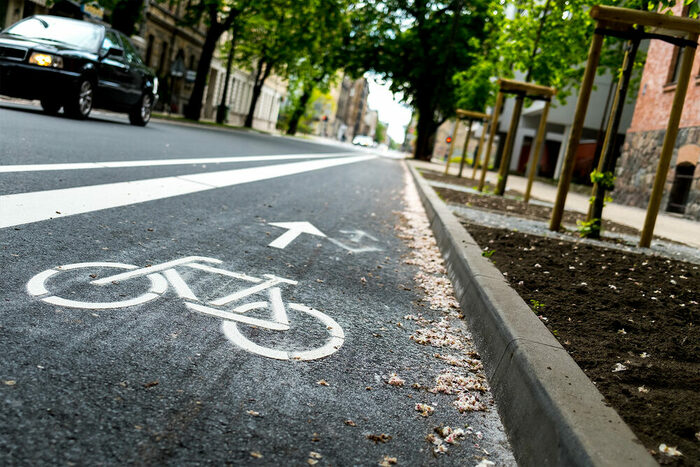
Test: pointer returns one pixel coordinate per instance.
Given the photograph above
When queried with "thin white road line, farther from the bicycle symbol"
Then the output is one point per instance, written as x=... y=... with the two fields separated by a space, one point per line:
x=162 y=162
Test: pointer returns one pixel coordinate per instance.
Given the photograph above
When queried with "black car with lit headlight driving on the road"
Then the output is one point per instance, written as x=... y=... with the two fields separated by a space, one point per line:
x=75 y=65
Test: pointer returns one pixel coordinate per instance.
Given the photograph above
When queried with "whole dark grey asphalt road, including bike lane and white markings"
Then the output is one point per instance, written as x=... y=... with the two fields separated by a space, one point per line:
x=261 y=349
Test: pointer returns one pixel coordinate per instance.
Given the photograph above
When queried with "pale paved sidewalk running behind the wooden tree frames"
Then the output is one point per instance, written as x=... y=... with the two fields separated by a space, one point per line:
x=671 y=227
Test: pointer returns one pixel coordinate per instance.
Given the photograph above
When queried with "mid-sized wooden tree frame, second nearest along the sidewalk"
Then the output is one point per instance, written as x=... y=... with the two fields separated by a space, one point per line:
x=521 y=90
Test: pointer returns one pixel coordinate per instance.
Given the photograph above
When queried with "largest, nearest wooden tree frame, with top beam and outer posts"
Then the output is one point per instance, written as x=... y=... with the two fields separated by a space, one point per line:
x=632 y=24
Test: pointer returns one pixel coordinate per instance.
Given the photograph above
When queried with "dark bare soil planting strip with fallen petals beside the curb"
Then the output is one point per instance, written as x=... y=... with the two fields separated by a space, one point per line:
x=629 y=320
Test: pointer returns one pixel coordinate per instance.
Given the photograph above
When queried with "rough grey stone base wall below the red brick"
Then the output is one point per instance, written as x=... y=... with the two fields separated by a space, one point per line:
x=637 y=165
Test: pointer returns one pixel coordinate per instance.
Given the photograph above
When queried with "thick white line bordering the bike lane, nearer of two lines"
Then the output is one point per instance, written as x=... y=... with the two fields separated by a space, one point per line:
x=23 y=208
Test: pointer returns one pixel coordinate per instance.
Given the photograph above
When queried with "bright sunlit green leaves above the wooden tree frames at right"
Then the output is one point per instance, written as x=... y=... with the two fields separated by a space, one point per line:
x=546 y=40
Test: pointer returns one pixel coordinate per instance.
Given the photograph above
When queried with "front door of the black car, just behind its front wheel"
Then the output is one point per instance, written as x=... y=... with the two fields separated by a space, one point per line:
x=113 y=73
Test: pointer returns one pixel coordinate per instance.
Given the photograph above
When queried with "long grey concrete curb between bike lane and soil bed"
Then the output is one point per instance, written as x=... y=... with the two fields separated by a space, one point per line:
x=552 y=412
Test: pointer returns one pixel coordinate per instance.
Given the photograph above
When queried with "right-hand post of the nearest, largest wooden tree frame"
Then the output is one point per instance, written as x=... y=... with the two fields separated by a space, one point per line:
x=669 y=142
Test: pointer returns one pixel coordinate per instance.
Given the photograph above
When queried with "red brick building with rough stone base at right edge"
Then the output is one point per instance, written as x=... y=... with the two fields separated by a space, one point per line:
x=637 y=165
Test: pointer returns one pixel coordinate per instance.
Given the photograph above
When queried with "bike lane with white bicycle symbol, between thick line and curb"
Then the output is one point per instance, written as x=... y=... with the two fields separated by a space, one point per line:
x=162 y=381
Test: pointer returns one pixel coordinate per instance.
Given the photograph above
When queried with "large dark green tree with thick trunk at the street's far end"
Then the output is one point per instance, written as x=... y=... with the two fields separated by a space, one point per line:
x=418 y=46
